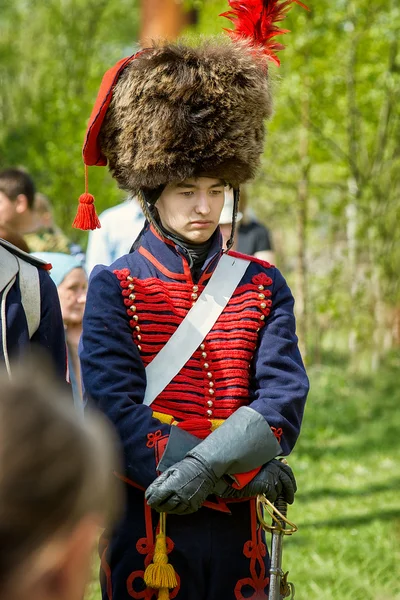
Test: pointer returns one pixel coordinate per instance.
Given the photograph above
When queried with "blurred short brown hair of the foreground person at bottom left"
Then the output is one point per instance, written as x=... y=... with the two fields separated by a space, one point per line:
x=56 y=468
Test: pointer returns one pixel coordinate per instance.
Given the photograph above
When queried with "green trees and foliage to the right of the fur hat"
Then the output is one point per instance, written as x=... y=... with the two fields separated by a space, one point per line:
x=336 y=126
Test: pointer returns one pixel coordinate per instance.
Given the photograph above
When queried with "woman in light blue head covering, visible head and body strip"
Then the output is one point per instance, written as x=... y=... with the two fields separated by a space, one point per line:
x=71 y=280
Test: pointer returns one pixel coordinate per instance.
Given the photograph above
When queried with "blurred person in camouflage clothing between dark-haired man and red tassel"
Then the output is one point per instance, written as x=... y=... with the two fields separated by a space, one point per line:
x=46 y=236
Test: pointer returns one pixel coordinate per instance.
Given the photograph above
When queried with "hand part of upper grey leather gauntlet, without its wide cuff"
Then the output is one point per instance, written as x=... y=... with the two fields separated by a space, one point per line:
x=182 y=488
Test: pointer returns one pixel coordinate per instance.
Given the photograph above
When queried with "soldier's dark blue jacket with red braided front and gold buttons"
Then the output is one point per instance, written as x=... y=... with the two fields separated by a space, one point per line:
x=250 y=357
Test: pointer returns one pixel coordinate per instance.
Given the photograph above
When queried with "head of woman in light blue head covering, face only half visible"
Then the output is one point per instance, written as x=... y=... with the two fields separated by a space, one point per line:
x=71 y=280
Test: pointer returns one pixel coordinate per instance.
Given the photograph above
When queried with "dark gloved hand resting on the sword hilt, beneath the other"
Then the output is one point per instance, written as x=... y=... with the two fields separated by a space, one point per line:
x=274 y=479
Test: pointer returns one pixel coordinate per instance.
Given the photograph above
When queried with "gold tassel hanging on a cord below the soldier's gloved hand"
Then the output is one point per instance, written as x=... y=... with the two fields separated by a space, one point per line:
x=160 y=575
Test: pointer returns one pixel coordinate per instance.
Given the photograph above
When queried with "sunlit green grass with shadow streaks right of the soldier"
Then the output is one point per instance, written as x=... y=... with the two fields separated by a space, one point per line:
x=348 y=504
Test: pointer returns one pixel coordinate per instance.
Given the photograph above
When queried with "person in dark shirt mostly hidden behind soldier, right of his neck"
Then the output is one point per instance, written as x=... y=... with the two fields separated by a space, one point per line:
x=253 y=237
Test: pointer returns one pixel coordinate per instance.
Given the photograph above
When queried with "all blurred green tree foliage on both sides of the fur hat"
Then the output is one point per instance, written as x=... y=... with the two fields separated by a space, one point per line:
x=336 y=126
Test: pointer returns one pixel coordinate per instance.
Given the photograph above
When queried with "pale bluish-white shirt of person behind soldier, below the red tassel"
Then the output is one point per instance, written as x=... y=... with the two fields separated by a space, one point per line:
x=120 y=226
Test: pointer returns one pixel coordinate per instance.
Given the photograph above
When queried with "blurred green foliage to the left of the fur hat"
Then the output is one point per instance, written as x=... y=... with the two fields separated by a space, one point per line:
x=52 y=58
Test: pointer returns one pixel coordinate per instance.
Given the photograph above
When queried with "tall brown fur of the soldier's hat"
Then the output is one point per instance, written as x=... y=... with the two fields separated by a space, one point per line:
x=179 y=111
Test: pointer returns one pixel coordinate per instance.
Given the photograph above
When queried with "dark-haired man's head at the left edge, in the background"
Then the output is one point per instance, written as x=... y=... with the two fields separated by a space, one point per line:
x=17 y=192
